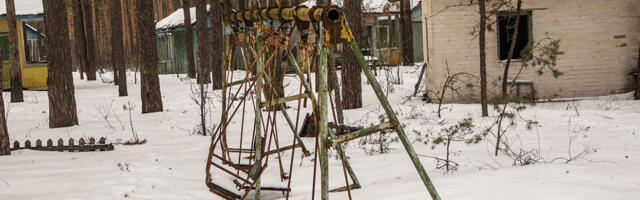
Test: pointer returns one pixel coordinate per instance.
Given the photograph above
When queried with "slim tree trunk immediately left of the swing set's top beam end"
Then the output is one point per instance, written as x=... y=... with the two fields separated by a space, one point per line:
x=216 y=44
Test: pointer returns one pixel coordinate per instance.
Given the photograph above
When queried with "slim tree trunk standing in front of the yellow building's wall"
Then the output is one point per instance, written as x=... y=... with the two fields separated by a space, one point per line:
x=16 y=72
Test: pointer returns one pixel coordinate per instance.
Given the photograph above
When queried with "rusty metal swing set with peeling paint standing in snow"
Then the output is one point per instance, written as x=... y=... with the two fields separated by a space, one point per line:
x=262 y=36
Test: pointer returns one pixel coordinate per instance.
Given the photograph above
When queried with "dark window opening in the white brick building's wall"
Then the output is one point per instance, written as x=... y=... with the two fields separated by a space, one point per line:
x=506 y=24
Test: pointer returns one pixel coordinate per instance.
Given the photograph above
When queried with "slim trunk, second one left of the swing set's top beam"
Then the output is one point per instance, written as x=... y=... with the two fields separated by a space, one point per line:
x=202 y=33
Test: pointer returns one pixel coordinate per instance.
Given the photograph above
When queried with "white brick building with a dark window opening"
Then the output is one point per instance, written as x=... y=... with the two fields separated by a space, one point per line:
x=598 y=49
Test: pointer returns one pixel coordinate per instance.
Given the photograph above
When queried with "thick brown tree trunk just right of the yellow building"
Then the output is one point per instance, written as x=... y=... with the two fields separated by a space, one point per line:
x=62 y=101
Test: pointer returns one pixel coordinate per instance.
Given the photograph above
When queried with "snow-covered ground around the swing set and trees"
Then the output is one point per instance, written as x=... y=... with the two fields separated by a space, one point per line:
x=171 y=165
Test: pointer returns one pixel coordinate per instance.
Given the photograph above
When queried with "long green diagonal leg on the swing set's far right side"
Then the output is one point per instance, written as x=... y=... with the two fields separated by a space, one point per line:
x=394 y=119
